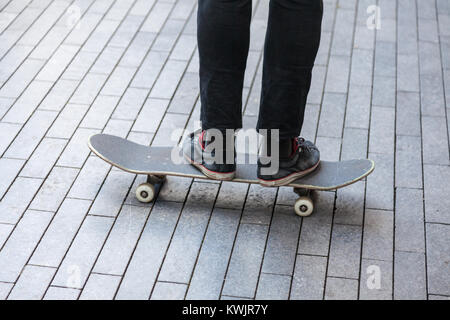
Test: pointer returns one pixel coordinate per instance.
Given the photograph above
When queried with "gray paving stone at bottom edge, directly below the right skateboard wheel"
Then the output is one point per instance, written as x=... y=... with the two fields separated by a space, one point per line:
x=309 y=278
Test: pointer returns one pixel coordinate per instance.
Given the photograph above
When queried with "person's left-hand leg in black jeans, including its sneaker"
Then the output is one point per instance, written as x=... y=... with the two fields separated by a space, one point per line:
x=223 y=34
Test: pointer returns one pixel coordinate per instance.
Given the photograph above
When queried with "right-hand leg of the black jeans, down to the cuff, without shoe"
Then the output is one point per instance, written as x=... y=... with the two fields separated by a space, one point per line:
x=292 y=41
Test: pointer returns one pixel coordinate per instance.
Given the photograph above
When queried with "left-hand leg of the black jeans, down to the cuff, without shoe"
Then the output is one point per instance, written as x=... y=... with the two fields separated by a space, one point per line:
x=223 y=34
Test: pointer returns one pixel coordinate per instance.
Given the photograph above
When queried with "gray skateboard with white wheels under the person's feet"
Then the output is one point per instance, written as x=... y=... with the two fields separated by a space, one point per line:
x=156 y=163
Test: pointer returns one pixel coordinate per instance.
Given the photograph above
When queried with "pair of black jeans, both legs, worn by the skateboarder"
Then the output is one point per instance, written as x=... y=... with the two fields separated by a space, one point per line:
x=291 y=44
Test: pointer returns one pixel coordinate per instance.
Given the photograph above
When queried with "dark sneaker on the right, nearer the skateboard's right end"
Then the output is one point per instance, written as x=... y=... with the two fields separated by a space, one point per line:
x=297 y=158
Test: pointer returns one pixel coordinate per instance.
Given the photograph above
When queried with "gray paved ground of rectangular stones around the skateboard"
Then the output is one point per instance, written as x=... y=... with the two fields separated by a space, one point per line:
x=70 y=226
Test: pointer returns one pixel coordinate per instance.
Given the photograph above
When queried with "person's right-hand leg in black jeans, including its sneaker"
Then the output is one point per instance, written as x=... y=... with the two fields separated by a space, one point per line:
x=292 y=41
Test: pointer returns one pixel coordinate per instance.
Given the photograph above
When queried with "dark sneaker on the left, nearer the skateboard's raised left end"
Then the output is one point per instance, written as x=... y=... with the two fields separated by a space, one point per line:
x=196 y=152
